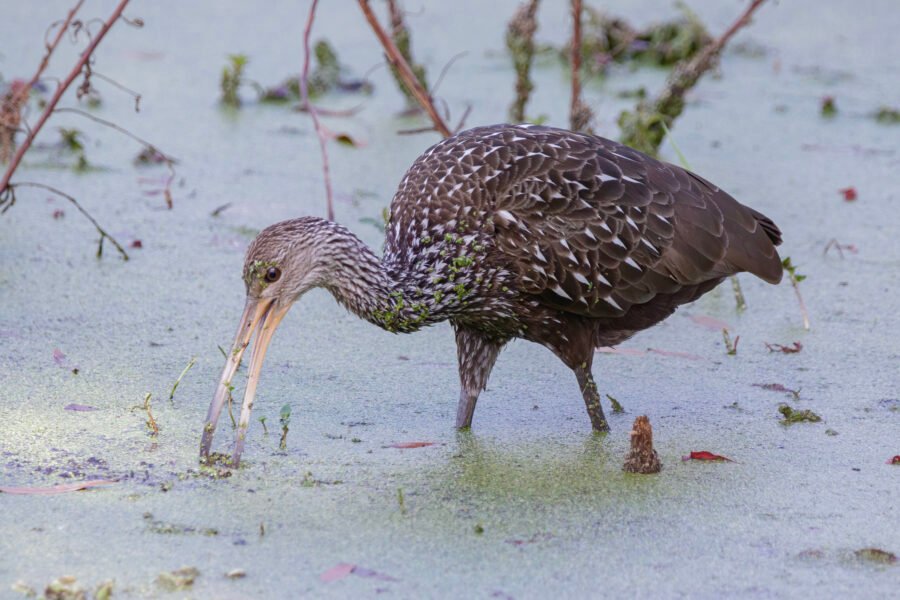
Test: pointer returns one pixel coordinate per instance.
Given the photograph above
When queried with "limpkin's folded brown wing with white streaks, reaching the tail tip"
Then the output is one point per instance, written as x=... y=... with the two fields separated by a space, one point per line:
x=594 y=227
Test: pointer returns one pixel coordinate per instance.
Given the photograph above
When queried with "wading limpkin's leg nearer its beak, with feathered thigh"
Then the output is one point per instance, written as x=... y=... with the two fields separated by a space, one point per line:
x=477 y=354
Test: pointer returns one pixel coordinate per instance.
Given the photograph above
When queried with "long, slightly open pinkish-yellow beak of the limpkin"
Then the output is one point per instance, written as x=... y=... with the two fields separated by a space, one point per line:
x=261 y=316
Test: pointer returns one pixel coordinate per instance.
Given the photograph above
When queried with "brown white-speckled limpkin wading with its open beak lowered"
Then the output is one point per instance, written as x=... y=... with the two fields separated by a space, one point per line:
x=568 y=240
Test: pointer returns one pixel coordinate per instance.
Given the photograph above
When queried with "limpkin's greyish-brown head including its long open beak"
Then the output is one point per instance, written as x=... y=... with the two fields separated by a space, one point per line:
x=284 y=261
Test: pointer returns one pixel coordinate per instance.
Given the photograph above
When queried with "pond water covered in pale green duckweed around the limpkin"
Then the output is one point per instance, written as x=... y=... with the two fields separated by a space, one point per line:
x=530 y=500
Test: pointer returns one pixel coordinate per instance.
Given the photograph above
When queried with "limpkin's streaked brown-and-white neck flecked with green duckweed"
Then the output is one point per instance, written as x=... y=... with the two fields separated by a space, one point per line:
x=394 y=299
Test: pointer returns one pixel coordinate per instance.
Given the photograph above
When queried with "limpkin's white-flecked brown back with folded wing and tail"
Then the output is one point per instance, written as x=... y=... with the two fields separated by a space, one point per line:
x=584 y=225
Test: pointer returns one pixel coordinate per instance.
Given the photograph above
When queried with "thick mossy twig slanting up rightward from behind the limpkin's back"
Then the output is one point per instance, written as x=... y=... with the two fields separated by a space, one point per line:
x=643 y=128
